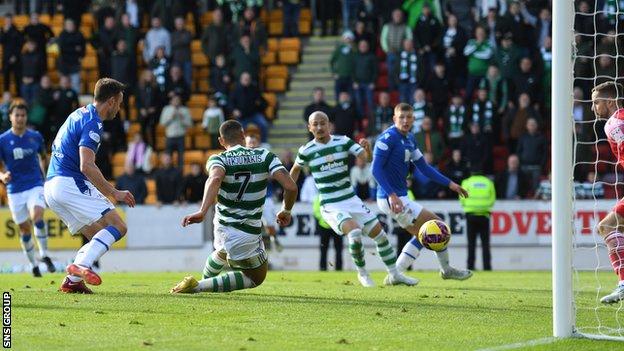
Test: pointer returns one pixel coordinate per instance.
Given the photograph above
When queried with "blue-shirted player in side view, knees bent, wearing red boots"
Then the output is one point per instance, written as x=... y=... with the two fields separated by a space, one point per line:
x=75 y=188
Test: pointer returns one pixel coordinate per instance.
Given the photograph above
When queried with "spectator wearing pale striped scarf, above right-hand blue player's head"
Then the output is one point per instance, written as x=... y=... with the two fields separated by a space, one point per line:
x=409 y=72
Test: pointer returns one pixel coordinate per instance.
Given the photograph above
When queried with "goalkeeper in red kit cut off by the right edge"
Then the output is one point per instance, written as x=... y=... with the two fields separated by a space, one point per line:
x=607 y=103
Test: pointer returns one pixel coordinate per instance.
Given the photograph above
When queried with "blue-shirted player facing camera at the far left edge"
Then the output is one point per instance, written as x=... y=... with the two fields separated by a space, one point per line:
x=22 y=151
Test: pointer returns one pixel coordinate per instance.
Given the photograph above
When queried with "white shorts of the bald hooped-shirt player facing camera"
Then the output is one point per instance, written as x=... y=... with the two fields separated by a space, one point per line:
x=336 y=213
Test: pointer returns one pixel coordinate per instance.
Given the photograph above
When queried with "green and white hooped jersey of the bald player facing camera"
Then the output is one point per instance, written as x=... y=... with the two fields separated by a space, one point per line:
x=328 y=164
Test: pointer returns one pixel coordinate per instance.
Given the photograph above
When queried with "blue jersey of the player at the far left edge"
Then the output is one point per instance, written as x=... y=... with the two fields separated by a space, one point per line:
x=20 y=155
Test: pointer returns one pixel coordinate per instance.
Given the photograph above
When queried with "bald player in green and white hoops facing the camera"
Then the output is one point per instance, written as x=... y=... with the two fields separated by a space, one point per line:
x=327 y=158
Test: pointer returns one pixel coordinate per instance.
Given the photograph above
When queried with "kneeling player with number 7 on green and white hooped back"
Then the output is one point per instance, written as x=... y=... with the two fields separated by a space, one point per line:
x=237 y=184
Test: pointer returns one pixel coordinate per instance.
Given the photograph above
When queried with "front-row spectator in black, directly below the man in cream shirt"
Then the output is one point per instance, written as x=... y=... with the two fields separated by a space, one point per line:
x=168 y=181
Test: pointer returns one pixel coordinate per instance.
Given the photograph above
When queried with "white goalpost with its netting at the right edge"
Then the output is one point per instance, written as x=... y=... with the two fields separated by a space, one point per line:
x=577 y=311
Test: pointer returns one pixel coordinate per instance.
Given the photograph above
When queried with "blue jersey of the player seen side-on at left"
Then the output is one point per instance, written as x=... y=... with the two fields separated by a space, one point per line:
x=82 y=128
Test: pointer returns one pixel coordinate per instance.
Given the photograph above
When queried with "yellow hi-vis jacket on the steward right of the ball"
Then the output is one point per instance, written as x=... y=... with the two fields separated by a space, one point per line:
x=481 y=195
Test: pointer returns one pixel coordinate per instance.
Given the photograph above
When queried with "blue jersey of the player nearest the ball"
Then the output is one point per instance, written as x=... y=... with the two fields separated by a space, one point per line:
x=392 y=156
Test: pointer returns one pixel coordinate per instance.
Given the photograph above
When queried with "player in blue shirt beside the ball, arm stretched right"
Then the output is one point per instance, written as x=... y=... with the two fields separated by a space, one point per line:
x=395 y=152
